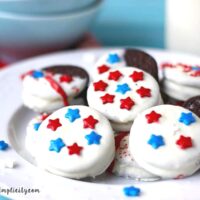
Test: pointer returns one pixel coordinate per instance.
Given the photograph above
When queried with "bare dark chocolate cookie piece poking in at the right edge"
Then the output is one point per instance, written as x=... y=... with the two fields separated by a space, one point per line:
x=193 y=104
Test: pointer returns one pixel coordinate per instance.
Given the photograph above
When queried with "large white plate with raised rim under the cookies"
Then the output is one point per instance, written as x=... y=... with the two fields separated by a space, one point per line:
x=14 y=118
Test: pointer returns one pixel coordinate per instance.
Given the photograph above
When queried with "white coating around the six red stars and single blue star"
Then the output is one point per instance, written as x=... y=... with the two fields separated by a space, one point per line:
x=112 y=110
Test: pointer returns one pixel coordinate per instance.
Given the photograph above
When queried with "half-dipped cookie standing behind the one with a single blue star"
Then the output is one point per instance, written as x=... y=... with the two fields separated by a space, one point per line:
x=127 y=57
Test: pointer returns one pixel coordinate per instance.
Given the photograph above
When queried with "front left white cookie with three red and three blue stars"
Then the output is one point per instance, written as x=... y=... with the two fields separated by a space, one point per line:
x=75 y=142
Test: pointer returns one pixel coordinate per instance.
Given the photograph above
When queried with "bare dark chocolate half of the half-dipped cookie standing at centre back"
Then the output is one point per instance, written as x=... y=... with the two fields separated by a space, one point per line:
x=141 y=60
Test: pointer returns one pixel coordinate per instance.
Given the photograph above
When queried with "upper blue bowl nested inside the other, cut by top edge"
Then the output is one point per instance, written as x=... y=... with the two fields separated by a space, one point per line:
x=42 y=7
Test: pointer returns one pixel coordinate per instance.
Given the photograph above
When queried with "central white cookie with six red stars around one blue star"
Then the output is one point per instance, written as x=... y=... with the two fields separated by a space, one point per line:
x=122 y=93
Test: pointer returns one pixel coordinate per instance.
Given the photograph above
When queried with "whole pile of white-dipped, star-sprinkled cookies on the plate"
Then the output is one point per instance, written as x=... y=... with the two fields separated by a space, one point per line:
x=124 y=127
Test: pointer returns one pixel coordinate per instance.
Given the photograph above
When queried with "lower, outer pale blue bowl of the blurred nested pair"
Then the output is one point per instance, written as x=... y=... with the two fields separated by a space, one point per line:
x=22 y=36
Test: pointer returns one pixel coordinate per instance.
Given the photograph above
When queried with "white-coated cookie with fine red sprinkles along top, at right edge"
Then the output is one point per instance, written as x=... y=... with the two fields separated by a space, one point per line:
x=181 y=81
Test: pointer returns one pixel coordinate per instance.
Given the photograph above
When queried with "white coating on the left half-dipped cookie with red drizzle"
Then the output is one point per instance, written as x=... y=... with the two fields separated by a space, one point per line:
x=39 y=95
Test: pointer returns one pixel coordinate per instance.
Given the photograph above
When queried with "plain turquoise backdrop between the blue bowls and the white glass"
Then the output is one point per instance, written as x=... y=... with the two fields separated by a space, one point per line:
x=131 y=22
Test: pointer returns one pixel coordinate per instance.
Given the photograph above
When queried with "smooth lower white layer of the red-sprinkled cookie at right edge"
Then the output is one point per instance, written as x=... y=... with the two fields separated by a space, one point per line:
x=178 y=91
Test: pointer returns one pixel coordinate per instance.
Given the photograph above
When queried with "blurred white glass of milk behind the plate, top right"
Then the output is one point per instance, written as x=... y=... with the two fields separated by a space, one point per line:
x=182 y=26
